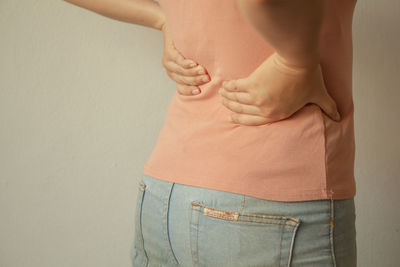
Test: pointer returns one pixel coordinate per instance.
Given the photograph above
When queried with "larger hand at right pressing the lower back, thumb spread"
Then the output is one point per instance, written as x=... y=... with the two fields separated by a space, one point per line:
x=274 y=91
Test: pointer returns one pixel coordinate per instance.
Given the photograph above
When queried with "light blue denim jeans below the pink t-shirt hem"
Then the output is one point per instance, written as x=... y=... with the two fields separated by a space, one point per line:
x=182 y=225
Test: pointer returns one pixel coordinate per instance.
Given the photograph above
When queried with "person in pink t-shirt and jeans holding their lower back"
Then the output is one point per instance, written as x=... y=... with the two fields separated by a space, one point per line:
x=254 y=165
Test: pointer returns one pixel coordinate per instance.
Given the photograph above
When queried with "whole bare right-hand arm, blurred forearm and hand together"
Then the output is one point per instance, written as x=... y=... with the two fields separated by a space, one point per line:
x=291 y=77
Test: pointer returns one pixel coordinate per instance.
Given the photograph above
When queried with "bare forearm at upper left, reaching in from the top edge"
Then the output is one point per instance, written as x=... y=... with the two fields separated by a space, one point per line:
x=142 y=12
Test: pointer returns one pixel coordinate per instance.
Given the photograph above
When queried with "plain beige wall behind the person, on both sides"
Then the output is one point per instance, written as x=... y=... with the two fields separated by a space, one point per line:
x=82 y=100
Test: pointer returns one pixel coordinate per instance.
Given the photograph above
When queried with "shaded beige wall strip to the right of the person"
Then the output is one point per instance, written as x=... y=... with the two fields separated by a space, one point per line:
x=376 y=95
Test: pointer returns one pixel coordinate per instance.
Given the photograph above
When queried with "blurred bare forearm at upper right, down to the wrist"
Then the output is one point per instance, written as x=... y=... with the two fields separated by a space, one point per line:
x=291 y=27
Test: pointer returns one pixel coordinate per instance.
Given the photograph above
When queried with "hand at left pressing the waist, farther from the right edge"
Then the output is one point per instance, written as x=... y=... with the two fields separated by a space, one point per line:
x=180 y=70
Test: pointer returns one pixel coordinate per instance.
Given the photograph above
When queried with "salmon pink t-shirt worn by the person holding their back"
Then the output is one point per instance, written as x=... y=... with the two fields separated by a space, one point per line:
x=307 y=156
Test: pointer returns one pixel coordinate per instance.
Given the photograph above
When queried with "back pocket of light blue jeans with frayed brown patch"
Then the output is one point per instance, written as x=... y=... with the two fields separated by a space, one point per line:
x=220 y=237
